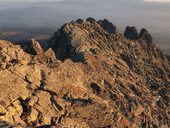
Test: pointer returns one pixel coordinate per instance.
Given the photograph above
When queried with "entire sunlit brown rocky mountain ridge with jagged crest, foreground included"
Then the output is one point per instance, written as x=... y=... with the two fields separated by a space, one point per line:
x=90 y=76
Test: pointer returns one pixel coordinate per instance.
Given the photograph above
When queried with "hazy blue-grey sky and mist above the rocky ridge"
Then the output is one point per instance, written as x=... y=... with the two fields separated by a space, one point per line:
x=151 y=14
